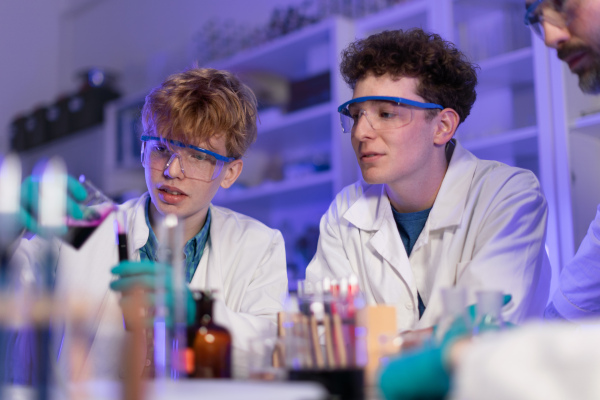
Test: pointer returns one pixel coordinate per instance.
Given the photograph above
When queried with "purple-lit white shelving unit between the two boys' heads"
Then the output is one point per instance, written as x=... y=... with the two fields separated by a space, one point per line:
x=300 y=159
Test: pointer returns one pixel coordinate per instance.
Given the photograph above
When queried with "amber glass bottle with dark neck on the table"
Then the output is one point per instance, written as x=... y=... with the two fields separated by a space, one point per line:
x=209 y=342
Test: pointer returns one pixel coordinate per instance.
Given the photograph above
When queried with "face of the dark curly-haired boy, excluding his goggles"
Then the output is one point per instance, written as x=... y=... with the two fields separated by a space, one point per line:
x=393 y=156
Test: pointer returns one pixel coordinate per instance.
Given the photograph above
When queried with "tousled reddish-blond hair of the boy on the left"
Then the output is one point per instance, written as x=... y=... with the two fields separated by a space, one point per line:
x=200 y=104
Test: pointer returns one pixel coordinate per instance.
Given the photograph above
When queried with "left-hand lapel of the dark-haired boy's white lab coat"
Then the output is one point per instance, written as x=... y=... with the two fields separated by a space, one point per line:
x=372 y=213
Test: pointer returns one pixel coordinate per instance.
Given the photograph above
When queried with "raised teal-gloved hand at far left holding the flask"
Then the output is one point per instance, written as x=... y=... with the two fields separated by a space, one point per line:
x=30 y=200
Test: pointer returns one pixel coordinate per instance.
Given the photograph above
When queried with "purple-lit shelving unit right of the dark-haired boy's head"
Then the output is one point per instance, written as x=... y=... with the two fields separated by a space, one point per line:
x=503 y=123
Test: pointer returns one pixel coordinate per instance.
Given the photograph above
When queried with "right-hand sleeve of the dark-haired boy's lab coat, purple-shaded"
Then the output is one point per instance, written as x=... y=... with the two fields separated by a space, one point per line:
x=509 y=253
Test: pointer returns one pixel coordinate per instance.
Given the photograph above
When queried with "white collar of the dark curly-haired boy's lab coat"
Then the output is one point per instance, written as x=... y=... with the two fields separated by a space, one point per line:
x=372 y=209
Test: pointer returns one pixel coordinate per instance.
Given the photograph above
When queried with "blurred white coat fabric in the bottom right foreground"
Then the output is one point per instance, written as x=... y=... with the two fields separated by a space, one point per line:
x=551 y=361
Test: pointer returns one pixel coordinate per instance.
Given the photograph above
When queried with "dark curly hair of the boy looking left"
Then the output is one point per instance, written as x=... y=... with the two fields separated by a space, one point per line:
x=446 y=76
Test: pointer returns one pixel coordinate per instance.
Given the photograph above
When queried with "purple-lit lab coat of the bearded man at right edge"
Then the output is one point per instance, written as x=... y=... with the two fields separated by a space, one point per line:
x=578 y=294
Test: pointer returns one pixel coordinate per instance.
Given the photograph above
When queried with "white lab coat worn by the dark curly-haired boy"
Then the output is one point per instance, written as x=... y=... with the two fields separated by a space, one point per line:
x=486 y=230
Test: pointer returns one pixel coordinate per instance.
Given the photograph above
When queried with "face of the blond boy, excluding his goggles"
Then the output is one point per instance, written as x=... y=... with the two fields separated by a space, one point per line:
x=172 y=192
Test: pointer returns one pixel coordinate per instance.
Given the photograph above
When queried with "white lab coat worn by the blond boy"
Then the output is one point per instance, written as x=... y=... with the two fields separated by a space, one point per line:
x=244 y=261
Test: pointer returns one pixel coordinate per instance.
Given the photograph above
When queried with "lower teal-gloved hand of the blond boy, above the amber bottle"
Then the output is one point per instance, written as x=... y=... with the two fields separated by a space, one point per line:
x=142 y=275
